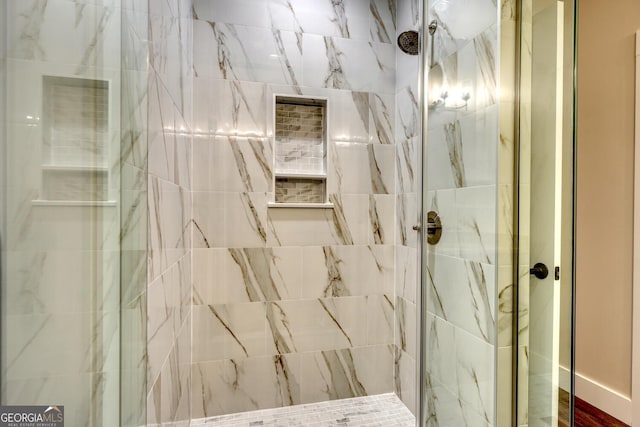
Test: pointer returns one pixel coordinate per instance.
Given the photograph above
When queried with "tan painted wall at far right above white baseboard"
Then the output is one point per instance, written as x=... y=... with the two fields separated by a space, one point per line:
x=606 y=95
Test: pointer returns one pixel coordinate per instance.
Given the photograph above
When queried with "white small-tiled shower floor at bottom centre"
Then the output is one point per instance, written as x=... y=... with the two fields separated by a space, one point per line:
x=384 y=410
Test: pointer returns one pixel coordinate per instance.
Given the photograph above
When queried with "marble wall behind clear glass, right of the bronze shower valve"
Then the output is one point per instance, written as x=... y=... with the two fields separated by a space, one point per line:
x=461 y=329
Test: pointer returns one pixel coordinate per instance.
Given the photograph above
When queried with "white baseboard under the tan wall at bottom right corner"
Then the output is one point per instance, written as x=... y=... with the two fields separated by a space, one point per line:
x=598 y=395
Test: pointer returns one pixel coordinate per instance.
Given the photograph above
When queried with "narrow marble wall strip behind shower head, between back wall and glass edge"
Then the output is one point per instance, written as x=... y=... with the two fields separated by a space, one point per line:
x=408 y=175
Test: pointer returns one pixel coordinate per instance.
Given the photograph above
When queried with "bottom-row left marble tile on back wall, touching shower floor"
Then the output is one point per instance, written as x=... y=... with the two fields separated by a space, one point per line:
x=230 y=386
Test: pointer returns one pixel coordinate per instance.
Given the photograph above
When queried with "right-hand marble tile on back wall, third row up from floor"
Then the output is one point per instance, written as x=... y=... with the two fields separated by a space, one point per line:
x=340 y=271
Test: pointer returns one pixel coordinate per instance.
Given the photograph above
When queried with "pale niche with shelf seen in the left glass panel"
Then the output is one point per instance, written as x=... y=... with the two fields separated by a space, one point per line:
x=75 y=135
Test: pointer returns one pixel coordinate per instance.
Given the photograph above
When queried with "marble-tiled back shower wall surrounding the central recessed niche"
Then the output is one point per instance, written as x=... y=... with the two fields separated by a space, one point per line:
x=292 y=305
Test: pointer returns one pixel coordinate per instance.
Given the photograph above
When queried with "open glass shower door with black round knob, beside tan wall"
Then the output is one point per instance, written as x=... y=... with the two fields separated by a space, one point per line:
x=545 y=214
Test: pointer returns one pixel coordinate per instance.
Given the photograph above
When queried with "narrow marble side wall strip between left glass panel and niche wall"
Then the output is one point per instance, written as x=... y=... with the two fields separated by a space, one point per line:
x=170 y=113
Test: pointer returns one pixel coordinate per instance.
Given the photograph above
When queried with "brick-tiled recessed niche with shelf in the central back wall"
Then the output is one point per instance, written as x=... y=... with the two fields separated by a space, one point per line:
x=300 y=151
